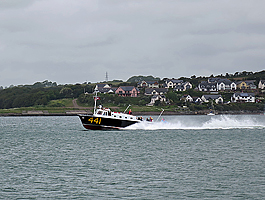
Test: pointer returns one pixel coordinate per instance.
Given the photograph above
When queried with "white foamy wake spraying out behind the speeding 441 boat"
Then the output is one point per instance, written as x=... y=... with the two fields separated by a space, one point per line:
x=204 y=122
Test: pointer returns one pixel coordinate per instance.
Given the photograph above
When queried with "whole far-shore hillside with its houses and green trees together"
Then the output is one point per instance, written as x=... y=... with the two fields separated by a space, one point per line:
x=239 y=91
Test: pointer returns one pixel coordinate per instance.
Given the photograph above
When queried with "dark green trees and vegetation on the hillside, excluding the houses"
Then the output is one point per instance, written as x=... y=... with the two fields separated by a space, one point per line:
x=46 y=92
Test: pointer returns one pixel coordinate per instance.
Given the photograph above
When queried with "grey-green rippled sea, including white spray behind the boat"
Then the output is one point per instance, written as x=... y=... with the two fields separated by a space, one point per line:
x=175 y=157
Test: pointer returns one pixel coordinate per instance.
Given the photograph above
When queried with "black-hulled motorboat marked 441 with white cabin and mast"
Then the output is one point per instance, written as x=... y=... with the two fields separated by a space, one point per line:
x=105 y=119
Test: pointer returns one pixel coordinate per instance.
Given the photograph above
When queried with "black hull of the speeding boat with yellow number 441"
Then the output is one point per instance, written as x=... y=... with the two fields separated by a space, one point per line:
x=92 y=122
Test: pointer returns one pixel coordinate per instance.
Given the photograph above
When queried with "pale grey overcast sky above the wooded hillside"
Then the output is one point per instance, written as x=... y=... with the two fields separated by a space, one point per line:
x=74 y=41
